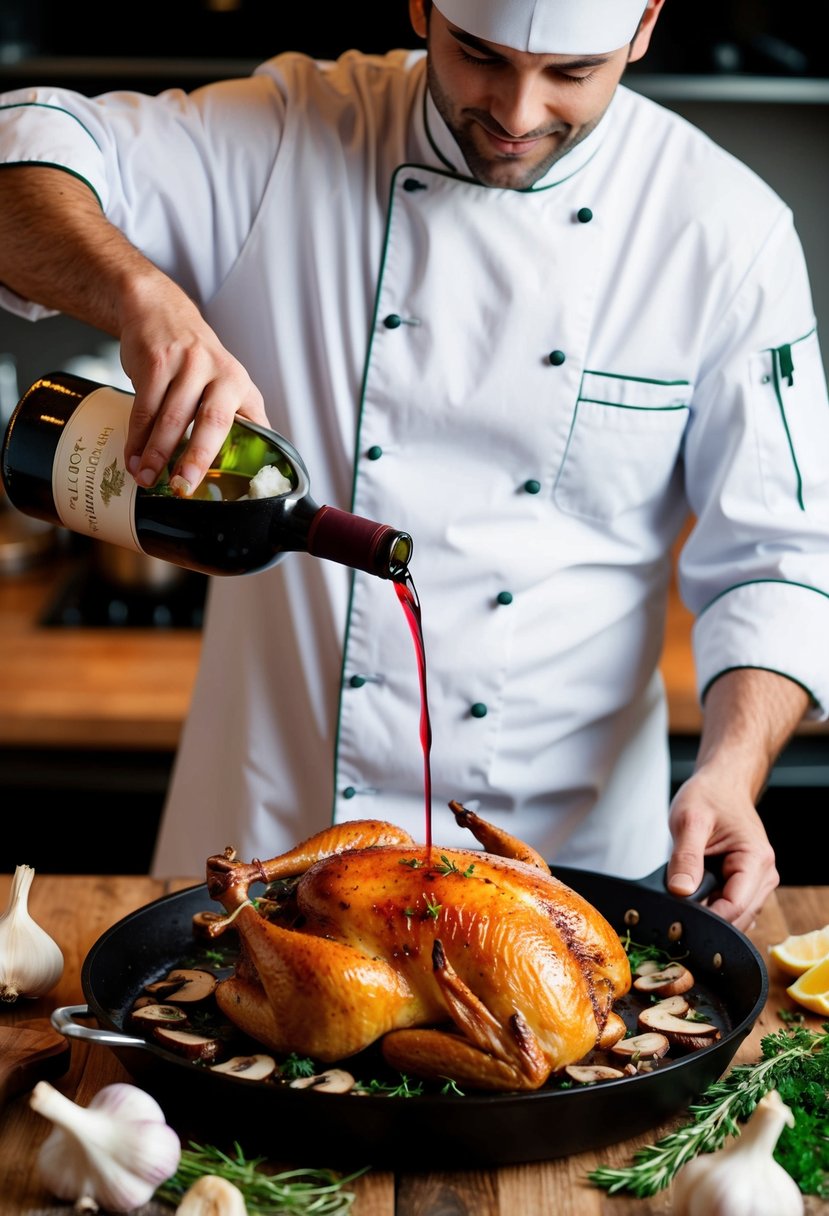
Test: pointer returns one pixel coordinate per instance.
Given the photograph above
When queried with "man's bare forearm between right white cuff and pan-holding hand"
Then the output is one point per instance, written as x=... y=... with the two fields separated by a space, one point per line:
x=748 y=717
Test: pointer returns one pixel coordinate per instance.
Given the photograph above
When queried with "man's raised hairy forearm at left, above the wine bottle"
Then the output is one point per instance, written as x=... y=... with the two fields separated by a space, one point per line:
x=59 y=250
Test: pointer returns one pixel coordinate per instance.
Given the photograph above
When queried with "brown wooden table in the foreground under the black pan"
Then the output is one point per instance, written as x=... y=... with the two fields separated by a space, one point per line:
x=76 y=910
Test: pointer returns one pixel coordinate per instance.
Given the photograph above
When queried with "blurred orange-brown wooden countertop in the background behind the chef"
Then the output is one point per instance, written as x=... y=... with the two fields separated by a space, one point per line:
x=132 y=688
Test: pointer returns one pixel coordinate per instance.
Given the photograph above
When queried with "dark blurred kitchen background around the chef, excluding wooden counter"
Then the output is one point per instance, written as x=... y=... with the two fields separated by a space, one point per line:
x=753 y=74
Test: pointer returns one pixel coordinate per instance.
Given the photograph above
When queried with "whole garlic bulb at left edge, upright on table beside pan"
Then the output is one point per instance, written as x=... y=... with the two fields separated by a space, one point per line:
x=31 y=964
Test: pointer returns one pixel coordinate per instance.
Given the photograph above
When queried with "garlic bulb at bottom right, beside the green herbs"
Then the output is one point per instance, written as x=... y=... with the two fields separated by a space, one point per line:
x=742 y=1179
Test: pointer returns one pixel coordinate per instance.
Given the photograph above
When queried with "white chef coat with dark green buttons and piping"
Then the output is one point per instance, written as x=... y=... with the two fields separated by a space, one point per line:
x=539 y=386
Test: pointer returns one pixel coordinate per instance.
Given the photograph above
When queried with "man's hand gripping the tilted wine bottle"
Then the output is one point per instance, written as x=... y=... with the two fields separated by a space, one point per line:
x=182 y=374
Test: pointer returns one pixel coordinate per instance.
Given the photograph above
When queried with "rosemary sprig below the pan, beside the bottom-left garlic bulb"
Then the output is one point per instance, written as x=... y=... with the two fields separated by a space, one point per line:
x=294 y=1192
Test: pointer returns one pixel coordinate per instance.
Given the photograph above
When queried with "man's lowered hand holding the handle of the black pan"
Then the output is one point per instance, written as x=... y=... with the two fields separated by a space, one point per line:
x=708 y=819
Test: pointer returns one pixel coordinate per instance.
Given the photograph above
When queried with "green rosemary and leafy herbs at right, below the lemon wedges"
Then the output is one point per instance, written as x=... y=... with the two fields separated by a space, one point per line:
x=796 y=1063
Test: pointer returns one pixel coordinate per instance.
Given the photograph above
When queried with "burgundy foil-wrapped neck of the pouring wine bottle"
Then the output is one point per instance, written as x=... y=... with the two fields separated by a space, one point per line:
x=359 y=543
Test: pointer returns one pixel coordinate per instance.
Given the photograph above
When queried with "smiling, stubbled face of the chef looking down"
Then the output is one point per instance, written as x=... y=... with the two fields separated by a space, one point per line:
x=515 y=114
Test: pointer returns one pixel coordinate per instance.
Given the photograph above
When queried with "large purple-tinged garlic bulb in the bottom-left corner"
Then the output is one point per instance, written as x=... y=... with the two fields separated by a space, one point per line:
x=111 y=1155
